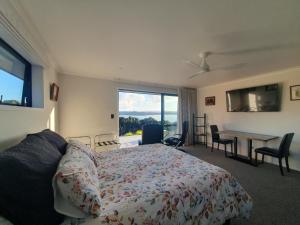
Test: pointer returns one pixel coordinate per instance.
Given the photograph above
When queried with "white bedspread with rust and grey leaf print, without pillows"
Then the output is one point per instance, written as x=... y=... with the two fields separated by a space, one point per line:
x=158 y=185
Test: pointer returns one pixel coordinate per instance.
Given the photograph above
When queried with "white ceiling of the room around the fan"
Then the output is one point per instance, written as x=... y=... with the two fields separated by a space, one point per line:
x=147 y=41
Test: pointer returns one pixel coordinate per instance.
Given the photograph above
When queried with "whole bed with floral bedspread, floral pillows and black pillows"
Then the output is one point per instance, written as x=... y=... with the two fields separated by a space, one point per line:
x=145 y=185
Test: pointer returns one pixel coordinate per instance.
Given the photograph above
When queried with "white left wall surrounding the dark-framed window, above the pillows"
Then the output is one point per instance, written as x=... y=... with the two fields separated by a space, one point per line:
x=16 y=122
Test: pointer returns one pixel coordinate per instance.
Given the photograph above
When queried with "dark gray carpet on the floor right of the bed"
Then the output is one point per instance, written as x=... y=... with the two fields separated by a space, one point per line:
x=276 y=199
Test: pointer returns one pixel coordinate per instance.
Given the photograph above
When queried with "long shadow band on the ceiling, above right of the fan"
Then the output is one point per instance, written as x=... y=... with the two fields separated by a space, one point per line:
x=254 y=50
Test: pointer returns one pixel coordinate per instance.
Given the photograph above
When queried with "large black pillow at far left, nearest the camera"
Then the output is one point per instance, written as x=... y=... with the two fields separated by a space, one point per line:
x=26 y=172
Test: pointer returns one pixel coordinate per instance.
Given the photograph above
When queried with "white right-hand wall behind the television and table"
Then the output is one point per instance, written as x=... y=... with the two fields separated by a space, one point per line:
x=273 y=123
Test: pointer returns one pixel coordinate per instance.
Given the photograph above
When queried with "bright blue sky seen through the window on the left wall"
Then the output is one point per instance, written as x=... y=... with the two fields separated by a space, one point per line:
x=11 y=87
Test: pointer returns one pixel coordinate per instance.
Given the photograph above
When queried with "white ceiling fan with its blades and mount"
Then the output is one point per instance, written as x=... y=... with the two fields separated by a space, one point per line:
x=205 y=68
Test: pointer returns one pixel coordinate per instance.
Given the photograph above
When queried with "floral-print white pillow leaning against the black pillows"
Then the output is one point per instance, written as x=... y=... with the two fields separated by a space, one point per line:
x=75 y=184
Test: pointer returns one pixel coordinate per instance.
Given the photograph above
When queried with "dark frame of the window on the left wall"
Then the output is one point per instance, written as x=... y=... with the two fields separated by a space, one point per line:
x=27 y=85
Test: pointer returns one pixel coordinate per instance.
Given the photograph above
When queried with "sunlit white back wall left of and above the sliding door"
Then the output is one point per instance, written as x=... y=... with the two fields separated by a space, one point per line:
x=86 y=104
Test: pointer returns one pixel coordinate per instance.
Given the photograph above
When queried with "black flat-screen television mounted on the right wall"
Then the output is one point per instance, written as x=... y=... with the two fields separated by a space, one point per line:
x=265 y=98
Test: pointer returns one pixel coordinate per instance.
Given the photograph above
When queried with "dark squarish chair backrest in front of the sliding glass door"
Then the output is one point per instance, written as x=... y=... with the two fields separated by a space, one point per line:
x=152 y=133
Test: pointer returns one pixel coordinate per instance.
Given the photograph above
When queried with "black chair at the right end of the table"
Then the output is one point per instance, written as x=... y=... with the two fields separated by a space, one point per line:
x=283 y=151
